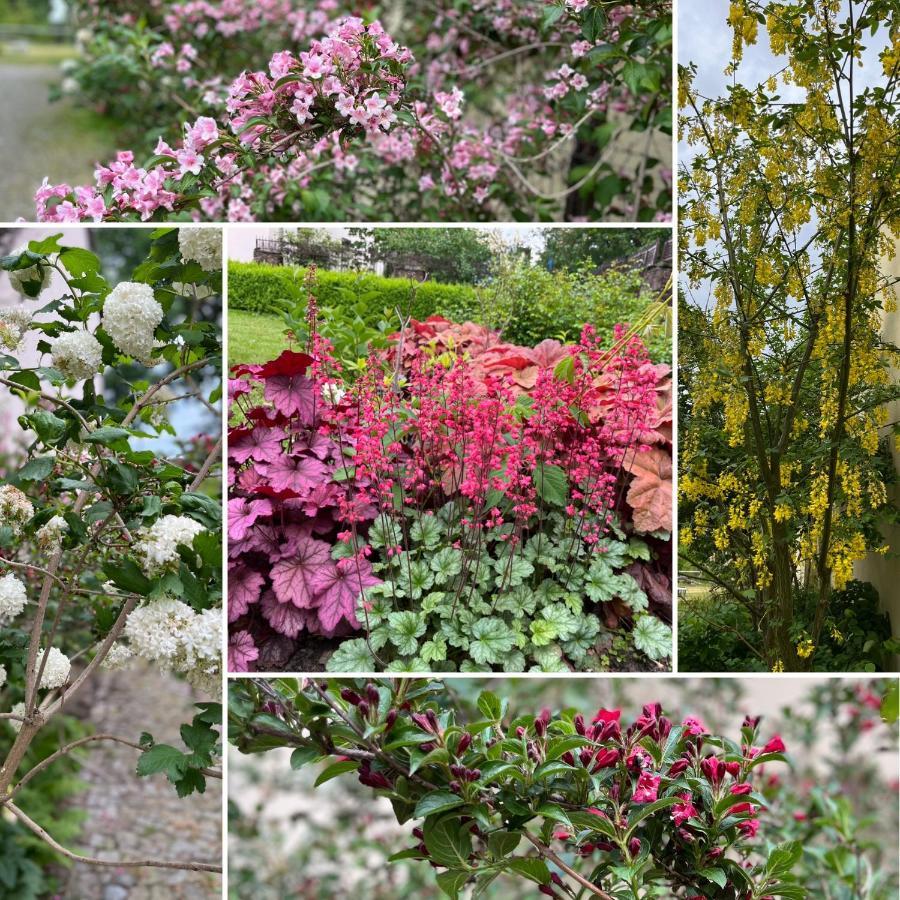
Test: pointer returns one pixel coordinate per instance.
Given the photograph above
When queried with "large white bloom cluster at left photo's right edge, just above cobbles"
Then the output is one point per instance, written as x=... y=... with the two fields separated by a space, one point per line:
x=171 y=634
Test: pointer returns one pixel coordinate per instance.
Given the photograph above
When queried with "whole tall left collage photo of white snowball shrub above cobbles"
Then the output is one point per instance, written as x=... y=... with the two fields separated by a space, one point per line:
x=110 y=562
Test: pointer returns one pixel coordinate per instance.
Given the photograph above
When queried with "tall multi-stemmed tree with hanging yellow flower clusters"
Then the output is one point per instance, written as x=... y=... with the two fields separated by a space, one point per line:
x=790 y=207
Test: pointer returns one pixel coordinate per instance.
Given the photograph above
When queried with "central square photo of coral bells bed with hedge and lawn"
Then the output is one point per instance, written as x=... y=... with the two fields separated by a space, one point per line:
x=450 y=449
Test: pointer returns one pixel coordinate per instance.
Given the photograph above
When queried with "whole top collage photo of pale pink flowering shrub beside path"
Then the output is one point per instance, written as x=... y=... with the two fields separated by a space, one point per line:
x=336 y=111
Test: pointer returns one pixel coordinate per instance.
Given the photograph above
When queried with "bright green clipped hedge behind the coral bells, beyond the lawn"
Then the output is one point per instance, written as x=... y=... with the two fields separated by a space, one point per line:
x=258 y=288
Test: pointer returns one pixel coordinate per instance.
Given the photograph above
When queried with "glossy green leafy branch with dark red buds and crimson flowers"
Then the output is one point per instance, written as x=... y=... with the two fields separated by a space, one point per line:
x=574 y=807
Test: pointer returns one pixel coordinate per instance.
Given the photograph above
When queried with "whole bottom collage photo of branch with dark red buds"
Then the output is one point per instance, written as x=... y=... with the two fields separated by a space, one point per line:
x=568 y=788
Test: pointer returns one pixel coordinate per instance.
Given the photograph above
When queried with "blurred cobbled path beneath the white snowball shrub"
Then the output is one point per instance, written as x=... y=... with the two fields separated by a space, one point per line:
x=131 y=816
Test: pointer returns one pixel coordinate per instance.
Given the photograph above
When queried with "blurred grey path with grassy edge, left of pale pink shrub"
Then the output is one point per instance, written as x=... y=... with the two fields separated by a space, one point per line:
x=40 y=138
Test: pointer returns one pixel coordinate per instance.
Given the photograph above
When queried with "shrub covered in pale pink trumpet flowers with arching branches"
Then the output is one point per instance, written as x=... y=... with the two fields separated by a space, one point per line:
x=360 y=115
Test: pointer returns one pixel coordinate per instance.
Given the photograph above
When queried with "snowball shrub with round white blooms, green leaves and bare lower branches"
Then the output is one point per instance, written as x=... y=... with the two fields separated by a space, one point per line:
x=129 y=542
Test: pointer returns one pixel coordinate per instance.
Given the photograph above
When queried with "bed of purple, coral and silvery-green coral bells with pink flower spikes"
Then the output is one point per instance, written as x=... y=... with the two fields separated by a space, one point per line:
x=463 y=504
